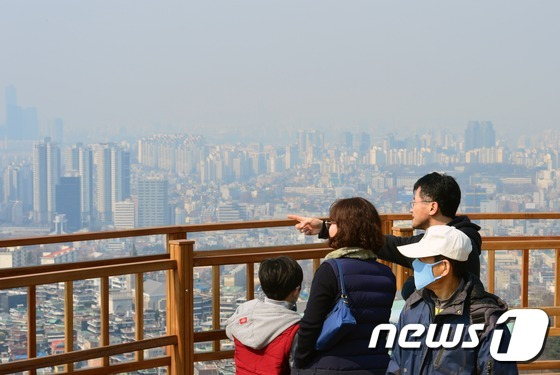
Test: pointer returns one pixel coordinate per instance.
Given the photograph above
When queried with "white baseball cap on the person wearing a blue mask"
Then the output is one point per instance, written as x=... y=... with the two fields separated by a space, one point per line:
x=440 y=240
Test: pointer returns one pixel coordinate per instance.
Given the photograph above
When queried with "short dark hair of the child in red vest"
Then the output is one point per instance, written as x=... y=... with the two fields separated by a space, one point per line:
x=279 y=277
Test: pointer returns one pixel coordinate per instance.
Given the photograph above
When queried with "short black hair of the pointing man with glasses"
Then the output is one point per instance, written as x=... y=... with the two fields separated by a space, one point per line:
x=440 y=188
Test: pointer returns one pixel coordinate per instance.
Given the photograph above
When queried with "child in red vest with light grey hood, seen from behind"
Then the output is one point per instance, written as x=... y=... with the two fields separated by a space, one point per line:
x=263 y=331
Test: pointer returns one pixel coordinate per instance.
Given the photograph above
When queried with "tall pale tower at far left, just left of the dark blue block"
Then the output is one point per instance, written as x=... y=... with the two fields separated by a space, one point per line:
x=46 y=172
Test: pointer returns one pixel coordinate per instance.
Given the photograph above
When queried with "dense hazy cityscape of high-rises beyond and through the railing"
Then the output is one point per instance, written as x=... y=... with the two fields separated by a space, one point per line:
x=51 y=187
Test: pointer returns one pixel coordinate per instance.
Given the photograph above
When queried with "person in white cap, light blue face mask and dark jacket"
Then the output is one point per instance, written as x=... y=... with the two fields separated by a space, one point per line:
x=448 y=296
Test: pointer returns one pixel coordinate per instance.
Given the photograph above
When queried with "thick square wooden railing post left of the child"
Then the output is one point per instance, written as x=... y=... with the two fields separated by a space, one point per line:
x=180 y=303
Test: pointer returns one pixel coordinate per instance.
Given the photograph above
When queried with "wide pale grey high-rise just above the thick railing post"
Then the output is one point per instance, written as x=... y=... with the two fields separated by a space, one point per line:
x=153 y=207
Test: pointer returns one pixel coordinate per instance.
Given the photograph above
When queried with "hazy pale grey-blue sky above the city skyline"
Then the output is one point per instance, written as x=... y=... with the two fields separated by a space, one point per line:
x=193 y=65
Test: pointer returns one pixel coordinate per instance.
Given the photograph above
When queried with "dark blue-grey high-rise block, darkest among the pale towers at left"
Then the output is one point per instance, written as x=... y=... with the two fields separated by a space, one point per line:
x=68 y=202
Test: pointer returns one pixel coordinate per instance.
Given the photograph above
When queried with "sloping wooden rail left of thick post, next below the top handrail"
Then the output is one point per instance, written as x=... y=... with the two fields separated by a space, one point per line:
x=79 y=274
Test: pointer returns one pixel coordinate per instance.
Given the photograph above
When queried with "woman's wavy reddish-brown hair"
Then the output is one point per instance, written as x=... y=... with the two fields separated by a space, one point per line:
x=358 y=224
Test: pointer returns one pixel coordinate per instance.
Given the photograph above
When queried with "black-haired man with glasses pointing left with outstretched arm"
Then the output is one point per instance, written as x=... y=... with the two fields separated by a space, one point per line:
x=436 y=200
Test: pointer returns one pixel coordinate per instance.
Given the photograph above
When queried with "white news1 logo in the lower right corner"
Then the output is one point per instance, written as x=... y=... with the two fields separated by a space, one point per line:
x=526 y=342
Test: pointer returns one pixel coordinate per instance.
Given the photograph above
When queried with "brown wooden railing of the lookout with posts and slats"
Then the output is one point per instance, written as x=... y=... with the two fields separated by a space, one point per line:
x=180 y=261
